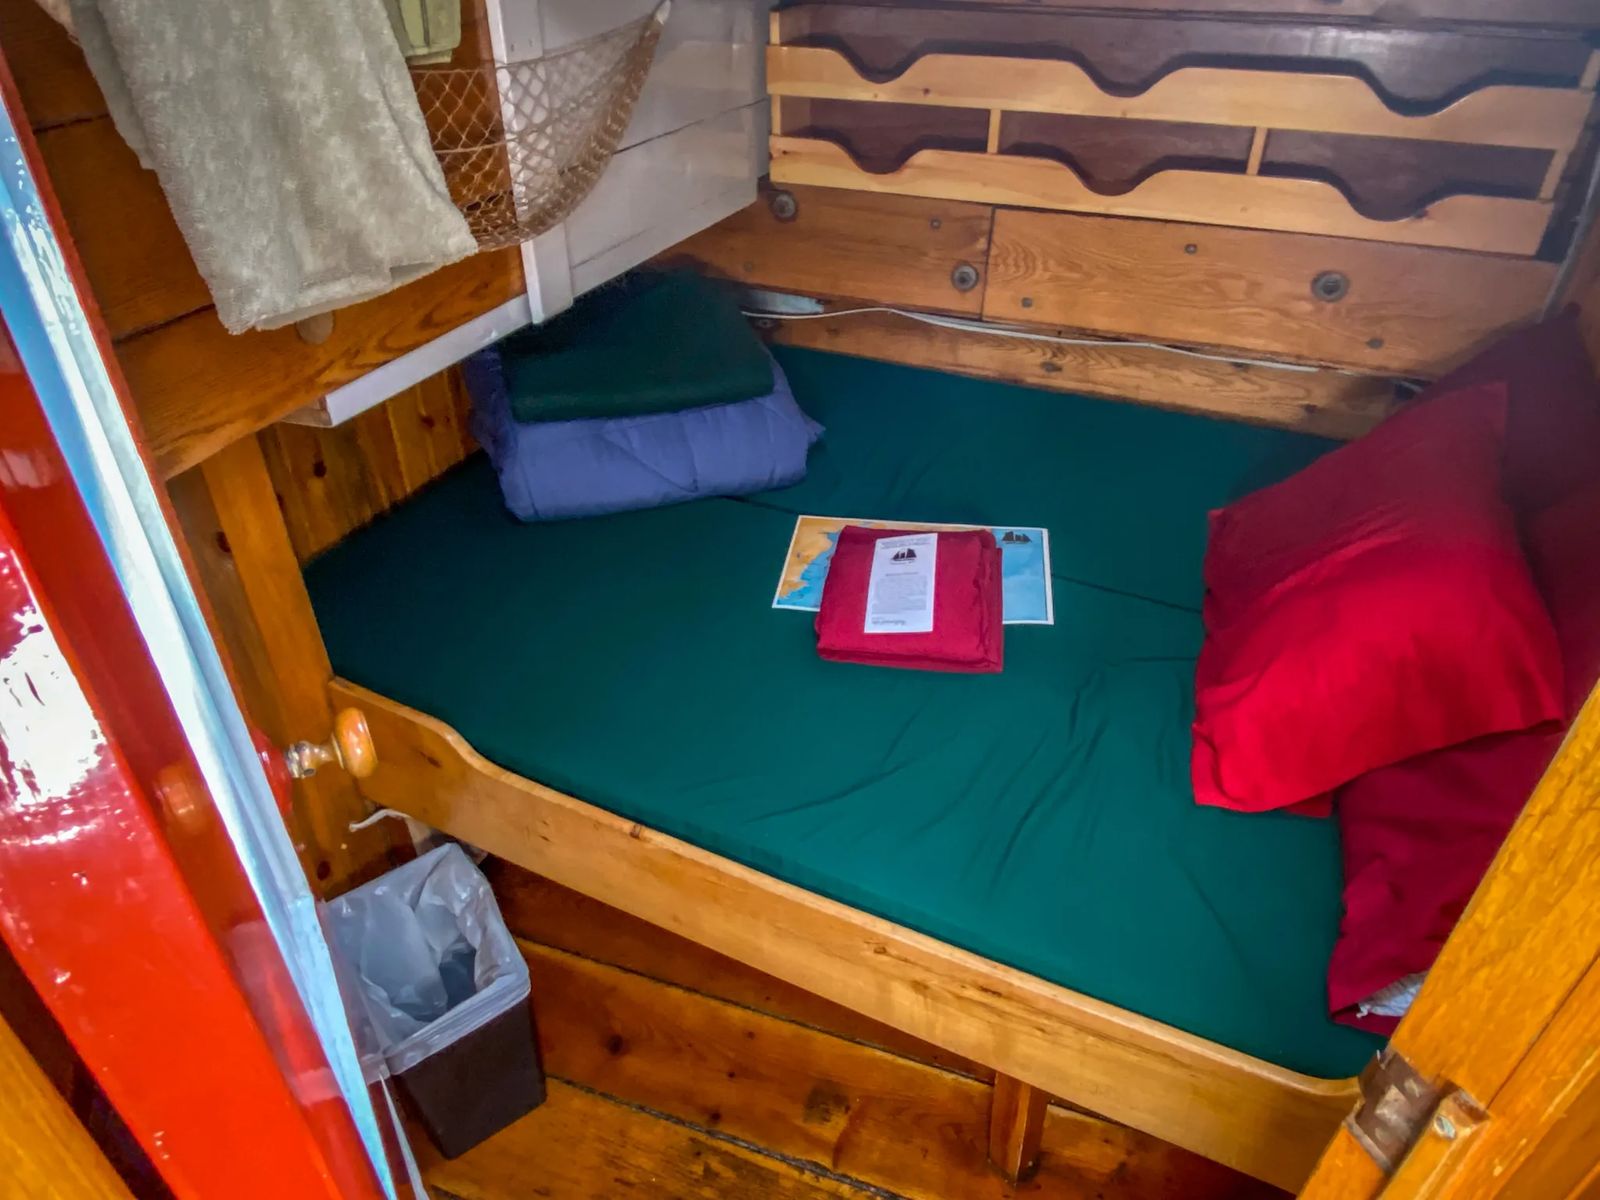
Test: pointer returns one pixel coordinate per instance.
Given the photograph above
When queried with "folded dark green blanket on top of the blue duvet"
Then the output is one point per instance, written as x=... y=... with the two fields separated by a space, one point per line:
x=658 y=345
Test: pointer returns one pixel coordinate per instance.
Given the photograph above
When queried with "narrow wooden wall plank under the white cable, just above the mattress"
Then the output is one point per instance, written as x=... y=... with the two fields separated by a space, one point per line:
x=1330 y=404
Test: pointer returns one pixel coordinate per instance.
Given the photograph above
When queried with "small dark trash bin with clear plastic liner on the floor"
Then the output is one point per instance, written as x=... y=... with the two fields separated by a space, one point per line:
x=446 y=996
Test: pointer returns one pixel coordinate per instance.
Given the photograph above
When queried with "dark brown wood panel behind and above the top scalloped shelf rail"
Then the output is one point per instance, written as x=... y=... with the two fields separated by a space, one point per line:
x=1132 y=50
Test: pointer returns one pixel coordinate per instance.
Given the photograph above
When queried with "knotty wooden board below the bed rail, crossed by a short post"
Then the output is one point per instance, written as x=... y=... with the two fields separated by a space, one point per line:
x=913 y=1130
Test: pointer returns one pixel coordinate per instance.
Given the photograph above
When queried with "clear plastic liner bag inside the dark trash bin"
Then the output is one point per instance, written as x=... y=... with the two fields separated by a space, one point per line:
x=426 y=958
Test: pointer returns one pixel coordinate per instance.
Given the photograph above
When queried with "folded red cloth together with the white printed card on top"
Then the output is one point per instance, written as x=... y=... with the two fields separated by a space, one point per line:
x=890 y=618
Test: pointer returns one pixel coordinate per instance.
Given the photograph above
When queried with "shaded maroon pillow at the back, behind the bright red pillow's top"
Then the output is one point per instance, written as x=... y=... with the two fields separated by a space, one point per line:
x=1553 y=423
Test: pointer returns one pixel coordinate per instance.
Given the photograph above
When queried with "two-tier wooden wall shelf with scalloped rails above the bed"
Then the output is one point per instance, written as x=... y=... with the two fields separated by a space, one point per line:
x=1385 y=135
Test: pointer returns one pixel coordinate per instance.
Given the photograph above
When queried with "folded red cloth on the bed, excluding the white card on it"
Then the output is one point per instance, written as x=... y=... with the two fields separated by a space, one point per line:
x=967 y=622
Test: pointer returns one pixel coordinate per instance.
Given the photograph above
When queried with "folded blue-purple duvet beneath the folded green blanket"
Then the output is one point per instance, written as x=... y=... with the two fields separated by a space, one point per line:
x=558 y=470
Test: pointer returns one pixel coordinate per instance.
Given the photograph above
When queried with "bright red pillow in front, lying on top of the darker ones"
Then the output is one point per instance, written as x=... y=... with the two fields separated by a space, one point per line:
x=1367 y=610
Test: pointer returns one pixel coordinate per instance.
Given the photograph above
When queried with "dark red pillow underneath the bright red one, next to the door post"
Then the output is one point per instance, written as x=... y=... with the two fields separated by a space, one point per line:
x=1418 y=836
